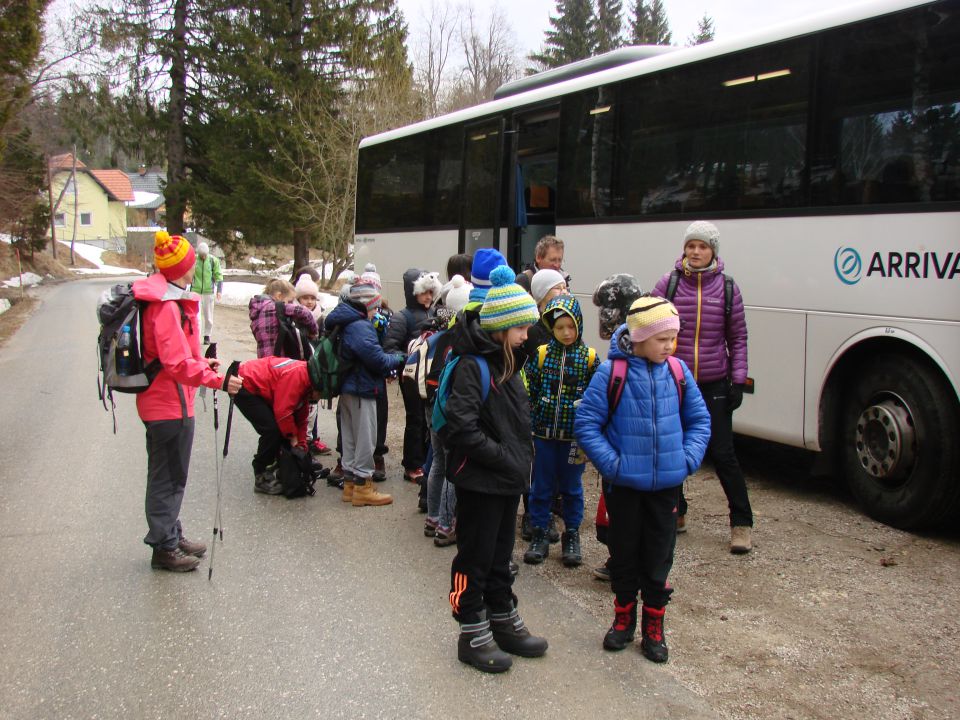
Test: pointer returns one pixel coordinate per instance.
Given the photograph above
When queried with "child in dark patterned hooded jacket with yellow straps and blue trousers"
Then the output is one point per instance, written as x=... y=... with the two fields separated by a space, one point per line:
x=557 y=378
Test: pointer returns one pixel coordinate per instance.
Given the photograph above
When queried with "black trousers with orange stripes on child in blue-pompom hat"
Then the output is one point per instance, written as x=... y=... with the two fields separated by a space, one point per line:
x=480 y=573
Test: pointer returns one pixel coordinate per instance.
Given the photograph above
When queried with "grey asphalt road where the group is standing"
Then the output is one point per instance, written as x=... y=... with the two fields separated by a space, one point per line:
x=315 y=609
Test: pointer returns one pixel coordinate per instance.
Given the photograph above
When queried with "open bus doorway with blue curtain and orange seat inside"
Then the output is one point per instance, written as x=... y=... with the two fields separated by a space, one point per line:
x=533 y=183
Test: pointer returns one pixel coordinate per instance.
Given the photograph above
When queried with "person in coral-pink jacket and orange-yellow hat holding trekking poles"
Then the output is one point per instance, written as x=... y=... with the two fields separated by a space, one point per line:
x=170 y=334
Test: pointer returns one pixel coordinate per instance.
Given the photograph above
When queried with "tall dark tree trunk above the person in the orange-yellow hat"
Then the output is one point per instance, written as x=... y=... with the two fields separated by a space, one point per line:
x=176 y=144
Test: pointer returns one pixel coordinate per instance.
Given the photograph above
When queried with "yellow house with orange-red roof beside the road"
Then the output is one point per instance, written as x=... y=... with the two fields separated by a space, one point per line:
x=99 y=203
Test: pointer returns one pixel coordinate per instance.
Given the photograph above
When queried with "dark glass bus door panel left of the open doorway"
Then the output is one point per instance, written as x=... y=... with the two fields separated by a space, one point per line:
x=481 y=216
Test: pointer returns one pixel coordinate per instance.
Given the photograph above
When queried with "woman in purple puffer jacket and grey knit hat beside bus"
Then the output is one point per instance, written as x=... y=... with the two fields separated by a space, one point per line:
x=713 y=343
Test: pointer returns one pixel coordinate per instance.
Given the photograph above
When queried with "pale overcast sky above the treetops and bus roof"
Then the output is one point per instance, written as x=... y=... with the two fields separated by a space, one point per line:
x=530 y=18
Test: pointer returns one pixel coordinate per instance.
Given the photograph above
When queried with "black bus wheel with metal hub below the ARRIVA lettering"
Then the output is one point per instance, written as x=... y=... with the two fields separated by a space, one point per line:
x=900 y=451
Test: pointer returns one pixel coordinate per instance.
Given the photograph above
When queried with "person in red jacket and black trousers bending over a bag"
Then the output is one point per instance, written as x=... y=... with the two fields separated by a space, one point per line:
x=275 y=399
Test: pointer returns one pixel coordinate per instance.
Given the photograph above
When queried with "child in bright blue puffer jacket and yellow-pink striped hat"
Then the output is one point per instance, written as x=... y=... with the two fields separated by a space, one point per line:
x=643 y=449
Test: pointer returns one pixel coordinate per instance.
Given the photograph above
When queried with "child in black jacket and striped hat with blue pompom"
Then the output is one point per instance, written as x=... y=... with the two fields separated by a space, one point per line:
x=488 y=458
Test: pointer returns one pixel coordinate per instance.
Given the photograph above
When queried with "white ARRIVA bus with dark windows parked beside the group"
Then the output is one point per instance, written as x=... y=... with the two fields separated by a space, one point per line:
x=828 y=153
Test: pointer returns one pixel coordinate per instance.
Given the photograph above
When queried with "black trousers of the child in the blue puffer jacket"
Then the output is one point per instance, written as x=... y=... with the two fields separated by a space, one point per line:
x=641 y=539
